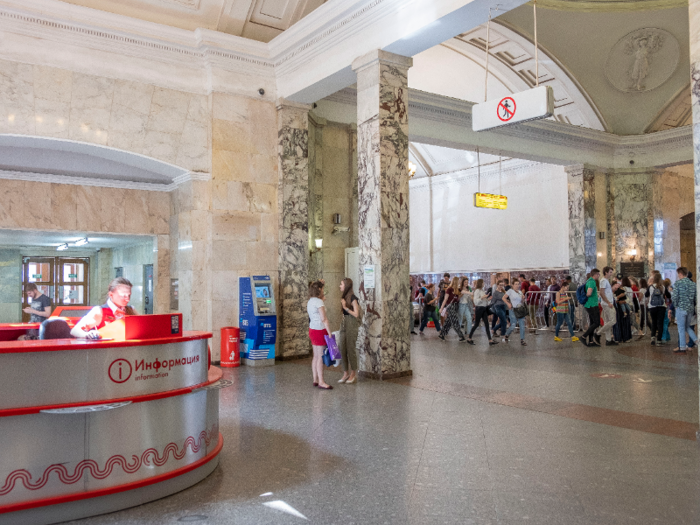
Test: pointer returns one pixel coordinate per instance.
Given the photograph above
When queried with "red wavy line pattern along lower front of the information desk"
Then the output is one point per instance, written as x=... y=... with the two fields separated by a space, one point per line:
x=146 y=457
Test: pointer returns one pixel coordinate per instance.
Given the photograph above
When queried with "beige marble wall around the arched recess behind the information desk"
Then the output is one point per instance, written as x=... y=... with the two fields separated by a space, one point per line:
x=219 y=226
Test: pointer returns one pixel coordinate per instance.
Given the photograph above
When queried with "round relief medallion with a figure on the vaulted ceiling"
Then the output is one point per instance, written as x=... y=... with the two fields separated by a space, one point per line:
x=642 y=60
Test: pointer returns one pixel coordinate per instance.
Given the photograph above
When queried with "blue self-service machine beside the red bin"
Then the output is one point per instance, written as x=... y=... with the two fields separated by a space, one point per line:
x=258 y=320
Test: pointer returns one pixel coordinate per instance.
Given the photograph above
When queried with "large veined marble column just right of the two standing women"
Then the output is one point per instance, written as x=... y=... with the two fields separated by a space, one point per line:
x=382 y=170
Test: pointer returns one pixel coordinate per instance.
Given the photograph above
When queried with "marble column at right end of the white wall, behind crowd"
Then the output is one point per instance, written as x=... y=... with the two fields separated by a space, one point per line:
x=582 y=221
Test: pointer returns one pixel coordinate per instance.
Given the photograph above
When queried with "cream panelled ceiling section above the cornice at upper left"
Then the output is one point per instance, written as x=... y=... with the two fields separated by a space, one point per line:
x=255 y=19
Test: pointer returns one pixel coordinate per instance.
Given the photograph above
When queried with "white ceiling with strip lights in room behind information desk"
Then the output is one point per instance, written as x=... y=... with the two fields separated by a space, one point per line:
x=28 y=238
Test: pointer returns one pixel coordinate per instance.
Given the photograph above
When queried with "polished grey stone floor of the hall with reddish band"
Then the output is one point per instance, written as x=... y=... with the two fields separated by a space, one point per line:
x=551 y=433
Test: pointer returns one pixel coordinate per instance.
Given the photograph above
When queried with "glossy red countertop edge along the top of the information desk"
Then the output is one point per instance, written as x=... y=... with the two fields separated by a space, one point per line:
x=55 y=345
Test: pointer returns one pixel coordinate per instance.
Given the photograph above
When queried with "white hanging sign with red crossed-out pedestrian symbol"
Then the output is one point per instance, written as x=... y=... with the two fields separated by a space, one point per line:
x=533 y=104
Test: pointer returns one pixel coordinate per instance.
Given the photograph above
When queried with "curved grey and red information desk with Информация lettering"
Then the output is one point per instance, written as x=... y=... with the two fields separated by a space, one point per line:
x=89 y=427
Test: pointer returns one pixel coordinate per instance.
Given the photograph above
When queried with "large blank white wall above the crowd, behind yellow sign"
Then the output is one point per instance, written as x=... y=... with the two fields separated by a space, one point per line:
x=532 y=233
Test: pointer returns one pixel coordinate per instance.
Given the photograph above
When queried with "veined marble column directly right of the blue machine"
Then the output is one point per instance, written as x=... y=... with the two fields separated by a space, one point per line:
x=293 y=195
